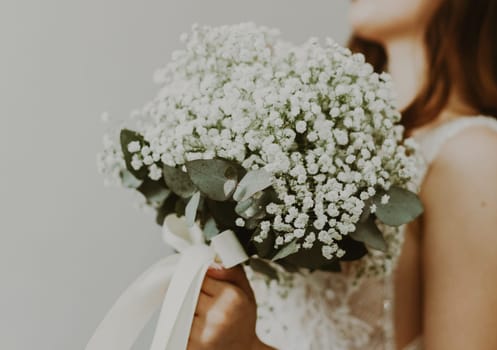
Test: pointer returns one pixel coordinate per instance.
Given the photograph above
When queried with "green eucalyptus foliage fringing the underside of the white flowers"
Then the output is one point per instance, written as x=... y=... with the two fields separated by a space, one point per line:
x=210 y=192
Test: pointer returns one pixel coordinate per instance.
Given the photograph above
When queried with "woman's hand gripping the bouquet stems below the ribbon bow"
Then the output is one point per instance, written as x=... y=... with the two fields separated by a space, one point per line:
x=226 y=313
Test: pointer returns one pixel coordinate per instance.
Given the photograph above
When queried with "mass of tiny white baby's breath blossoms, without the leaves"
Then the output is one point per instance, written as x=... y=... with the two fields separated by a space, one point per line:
x=316 y=116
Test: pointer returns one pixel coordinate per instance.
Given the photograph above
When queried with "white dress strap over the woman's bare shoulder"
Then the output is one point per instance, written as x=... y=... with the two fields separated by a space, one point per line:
x=432 y=142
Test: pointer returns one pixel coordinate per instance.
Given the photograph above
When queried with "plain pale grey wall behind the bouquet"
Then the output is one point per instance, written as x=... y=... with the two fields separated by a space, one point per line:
x=69 y=246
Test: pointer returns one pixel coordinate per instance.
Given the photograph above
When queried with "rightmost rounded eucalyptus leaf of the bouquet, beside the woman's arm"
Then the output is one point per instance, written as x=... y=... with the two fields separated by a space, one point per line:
x=404 y=206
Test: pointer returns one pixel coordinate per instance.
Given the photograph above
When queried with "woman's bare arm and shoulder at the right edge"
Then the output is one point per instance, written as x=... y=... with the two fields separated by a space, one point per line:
x=459 y=245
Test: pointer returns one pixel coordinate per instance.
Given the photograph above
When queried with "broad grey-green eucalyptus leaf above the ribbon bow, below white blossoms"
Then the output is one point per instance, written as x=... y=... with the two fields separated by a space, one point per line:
x=216 y=178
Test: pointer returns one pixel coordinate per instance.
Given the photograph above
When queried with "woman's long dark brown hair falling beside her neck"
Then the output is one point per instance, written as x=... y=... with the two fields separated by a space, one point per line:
x=461 y=42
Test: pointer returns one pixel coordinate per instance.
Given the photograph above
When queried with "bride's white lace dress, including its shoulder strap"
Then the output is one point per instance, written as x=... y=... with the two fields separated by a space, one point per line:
x=330 y=311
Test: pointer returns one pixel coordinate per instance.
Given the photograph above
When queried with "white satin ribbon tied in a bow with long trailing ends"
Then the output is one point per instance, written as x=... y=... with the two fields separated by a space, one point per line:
x=174 y=281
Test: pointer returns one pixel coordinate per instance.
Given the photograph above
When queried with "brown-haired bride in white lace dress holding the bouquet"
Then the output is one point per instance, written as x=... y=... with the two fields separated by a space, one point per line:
x=442 y=55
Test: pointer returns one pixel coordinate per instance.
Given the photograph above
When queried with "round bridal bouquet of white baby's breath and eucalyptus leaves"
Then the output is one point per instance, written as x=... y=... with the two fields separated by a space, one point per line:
x=295 y=148
